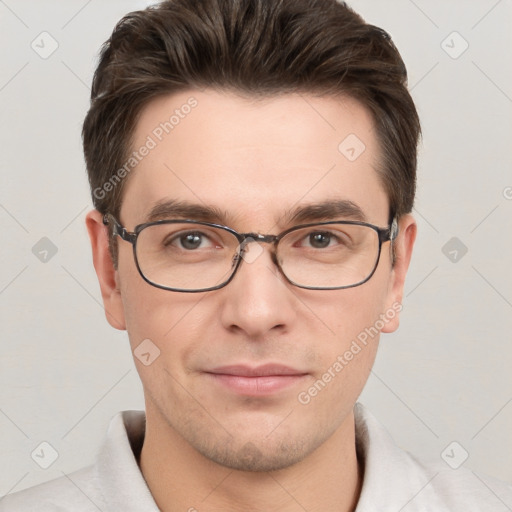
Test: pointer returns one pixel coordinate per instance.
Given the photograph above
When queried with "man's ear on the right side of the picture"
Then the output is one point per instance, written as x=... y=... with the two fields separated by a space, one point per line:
x=403 y=251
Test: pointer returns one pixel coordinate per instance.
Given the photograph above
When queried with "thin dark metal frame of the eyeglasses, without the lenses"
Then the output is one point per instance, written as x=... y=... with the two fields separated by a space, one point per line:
x=385 y=234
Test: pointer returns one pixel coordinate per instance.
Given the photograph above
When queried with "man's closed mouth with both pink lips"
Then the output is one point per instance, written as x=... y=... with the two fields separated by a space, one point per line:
x=262 y=380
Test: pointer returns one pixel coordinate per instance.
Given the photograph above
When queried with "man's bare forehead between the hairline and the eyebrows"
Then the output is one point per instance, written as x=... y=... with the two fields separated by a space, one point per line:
x=254 y=159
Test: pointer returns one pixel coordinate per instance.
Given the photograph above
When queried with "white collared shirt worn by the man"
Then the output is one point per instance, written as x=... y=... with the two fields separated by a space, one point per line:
x=394 y=481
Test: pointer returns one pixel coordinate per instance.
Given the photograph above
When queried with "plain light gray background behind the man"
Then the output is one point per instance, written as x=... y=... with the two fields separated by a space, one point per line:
x=443 y=377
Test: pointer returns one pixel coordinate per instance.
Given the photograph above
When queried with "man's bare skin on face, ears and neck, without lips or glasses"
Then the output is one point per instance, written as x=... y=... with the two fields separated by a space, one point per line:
x=206 y=447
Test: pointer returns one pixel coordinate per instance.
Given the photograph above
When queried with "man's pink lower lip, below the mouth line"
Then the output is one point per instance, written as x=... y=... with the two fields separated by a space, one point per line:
x=256 y=386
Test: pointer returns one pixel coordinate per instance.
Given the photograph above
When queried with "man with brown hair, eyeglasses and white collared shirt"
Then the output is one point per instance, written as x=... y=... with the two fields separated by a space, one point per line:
x=252 y=165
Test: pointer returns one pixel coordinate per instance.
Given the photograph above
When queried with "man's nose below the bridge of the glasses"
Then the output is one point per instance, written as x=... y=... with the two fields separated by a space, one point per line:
x=258 y=301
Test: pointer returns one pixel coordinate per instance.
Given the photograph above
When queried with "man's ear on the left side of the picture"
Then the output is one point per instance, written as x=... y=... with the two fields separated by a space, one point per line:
x=107 y=274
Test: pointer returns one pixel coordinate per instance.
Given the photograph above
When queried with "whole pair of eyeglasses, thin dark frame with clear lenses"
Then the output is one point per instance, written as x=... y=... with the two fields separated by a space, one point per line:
x=193 y=256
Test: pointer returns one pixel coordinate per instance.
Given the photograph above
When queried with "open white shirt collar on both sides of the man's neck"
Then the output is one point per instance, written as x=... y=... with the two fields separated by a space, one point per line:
x=391 y=476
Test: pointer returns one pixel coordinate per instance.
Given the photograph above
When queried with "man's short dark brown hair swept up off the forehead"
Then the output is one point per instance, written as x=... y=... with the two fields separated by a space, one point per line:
x=255 y=47
